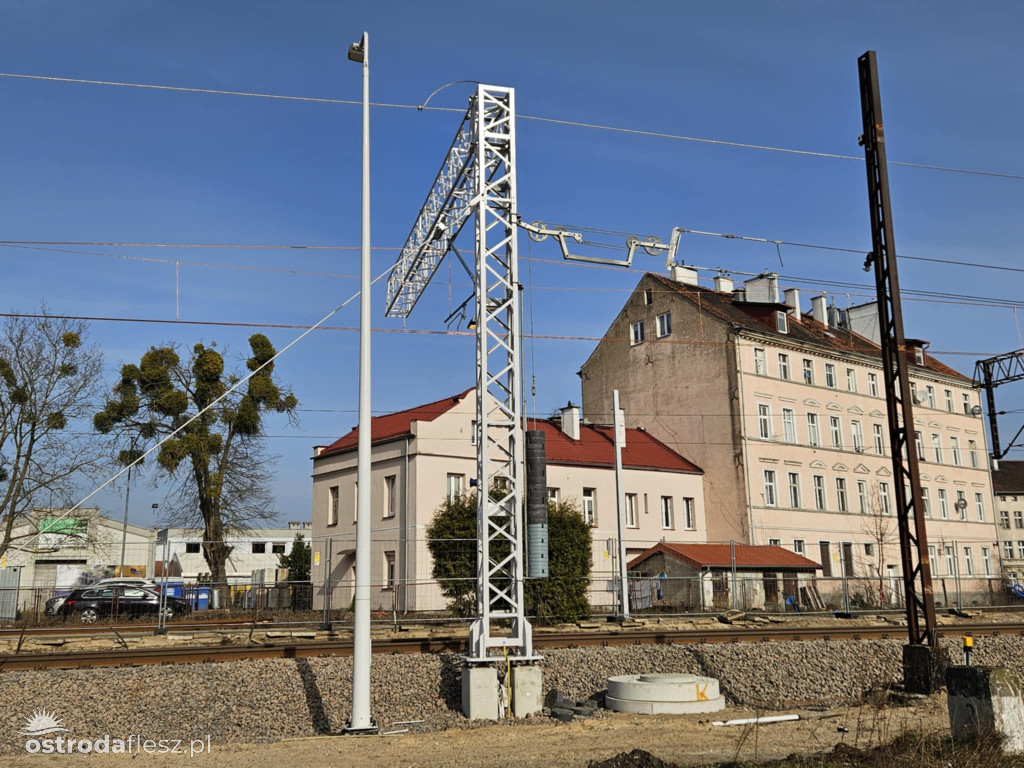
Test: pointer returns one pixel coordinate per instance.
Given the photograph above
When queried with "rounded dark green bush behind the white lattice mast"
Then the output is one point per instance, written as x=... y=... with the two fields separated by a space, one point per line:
x=562 y=598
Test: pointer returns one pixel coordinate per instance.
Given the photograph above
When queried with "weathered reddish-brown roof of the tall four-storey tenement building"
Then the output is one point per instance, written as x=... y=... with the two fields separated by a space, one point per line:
x=808 y=330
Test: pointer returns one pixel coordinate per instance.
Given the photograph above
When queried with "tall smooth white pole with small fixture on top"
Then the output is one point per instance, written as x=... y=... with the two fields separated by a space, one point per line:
x=361 y=720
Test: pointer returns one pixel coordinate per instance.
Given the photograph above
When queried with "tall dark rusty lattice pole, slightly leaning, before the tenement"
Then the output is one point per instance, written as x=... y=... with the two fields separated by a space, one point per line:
x=919 y=656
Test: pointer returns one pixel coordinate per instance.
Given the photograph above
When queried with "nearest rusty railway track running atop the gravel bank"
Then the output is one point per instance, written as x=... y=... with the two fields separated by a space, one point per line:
x=344 y=648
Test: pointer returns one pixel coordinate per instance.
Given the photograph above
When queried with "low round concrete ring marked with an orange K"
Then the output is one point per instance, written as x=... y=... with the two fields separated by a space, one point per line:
x=664 y=695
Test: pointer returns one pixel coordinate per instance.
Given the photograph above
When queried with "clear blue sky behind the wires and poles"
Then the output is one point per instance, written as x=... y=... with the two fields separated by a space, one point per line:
x=108 y=164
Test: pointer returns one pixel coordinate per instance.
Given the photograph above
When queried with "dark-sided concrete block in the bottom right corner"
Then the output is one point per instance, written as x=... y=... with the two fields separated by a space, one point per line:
x=987 y=700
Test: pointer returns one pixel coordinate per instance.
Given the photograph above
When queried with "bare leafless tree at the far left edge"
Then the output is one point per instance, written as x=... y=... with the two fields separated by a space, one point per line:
x=50 y=380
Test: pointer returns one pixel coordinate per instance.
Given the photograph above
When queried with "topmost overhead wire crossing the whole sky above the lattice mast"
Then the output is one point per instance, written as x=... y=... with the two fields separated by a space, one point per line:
x=549 y=121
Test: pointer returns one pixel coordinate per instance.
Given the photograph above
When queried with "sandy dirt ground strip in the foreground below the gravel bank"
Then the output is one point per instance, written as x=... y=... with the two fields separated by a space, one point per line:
x=680 y=739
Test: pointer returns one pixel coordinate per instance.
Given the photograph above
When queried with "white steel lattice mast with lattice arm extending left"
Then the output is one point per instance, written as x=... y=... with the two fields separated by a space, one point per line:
x=479 y=178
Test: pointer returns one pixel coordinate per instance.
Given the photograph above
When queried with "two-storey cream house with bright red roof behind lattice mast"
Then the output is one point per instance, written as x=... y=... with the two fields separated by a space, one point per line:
x=424 y=454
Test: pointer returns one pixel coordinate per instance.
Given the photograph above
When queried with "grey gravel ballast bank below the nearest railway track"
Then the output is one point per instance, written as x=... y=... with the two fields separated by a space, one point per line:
x=265 y=700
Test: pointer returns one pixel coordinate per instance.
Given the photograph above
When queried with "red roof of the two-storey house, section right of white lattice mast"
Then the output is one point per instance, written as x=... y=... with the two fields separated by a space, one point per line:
x=596 y=449
